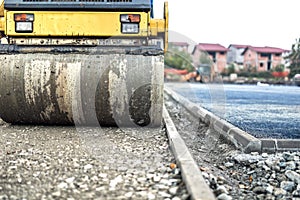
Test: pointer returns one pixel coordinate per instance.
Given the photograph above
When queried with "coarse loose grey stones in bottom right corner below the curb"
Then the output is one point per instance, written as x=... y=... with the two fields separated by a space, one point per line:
x=275 y=176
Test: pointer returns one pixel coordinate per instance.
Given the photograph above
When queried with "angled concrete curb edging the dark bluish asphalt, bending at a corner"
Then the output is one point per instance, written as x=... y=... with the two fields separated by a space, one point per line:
x=241 y=139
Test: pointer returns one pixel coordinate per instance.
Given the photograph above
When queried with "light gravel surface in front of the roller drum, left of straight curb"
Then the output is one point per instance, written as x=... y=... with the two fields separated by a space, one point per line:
x=38 y=162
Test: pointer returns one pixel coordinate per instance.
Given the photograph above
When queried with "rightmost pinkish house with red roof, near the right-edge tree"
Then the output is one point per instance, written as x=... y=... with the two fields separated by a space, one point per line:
x=262 y=58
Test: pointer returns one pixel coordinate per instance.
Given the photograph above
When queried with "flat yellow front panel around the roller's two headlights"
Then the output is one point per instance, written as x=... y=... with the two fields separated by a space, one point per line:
x=49 y=23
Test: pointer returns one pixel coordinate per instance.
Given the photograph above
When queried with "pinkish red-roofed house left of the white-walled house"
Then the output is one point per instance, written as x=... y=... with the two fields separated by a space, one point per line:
x=217 y=54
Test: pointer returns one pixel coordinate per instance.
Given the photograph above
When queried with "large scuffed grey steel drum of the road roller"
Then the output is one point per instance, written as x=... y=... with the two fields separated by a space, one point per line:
x=106 y=89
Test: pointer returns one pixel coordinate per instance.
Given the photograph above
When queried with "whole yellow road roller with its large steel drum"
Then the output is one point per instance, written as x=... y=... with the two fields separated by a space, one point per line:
x=82 y=62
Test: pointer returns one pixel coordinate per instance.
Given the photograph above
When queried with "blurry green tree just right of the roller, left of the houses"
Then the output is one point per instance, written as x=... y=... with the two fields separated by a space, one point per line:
x=179 y=59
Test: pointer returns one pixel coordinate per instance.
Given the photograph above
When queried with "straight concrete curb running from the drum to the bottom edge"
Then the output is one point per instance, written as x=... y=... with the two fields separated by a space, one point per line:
x=191 y=174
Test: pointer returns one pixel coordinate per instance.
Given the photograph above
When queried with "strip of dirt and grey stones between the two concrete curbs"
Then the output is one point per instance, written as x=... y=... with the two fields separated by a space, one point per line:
x=231 y=174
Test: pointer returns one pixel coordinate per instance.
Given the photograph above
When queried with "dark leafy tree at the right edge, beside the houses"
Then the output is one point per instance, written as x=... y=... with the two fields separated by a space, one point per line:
x=295 y=59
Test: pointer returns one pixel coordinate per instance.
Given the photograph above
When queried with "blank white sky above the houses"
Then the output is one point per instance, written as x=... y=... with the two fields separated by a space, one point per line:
x=274 y=23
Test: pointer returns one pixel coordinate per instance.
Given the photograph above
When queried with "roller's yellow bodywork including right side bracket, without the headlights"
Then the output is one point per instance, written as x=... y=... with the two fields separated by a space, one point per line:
x=76 y=24
